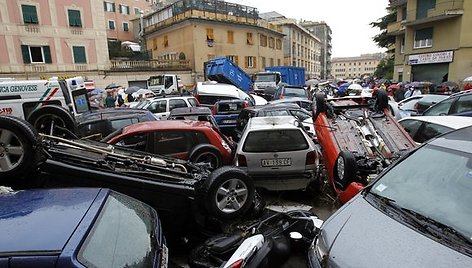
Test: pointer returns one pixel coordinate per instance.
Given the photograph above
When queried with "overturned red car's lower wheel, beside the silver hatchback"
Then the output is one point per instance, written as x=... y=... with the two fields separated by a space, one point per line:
x=345 y=169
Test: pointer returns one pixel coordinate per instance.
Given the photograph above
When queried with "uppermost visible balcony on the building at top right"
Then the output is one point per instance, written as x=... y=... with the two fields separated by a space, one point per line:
x=443 y=10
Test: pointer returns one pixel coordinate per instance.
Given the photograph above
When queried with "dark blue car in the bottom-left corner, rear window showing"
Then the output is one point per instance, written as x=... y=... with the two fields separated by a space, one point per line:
x=78 y=227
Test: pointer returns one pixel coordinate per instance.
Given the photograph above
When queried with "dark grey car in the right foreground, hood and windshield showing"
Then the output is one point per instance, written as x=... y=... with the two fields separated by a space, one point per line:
x=416 y=213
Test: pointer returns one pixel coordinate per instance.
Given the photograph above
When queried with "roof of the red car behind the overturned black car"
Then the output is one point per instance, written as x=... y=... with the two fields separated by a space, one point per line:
x=166 y=125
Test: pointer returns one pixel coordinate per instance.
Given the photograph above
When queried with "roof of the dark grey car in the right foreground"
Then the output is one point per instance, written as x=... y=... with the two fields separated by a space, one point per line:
x=458 y=140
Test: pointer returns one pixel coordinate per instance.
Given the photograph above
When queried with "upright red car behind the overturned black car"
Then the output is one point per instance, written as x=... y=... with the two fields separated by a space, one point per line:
x=197 y=141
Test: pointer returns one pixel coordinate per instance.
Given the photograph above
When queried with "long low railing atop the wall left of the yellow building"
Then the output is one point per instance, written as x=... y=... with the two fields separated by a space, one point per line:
x=135 y=65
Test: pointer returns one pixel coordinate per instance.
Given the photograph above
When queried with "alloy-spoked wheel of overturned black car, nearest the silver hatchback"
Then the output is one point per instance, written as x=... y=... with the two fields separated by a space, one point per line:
x=228 y=193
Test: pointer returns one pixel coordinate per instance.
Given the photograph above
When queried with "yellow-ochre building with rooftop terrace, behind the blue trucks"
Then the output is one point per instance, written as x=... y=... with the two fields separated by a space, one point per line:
x=200 y=30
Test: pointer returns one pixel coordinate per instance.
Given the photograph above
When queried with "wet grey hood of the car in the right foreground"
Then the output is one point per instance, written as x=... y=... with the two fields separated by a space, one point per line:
x=360 y=235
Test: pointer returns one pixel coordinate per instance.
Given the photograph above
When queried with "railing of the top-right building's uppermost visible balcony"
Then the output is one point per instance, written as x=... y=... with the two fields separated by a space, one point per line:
x=442 y=9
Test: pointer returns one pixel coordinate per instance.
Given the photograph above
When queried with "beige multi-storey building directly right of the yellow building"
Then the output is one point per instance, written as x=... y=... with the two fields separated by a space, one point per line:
x=301 y=48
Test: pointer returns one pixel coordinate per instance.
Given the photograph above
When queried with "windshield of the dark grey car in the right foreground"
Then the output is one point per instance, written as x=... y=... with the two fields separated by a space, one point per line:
x=434 y=182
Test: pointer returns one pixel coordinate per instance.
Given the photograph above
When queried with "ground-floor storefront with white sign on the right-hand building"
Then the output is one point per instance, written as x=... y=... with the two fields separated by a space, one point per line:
x=433 y=67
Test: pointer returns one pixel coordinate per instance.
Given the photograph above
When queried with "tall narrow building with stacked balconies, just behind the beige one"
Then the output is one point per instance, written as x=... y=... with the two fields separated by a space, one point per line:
x=323 y=32
